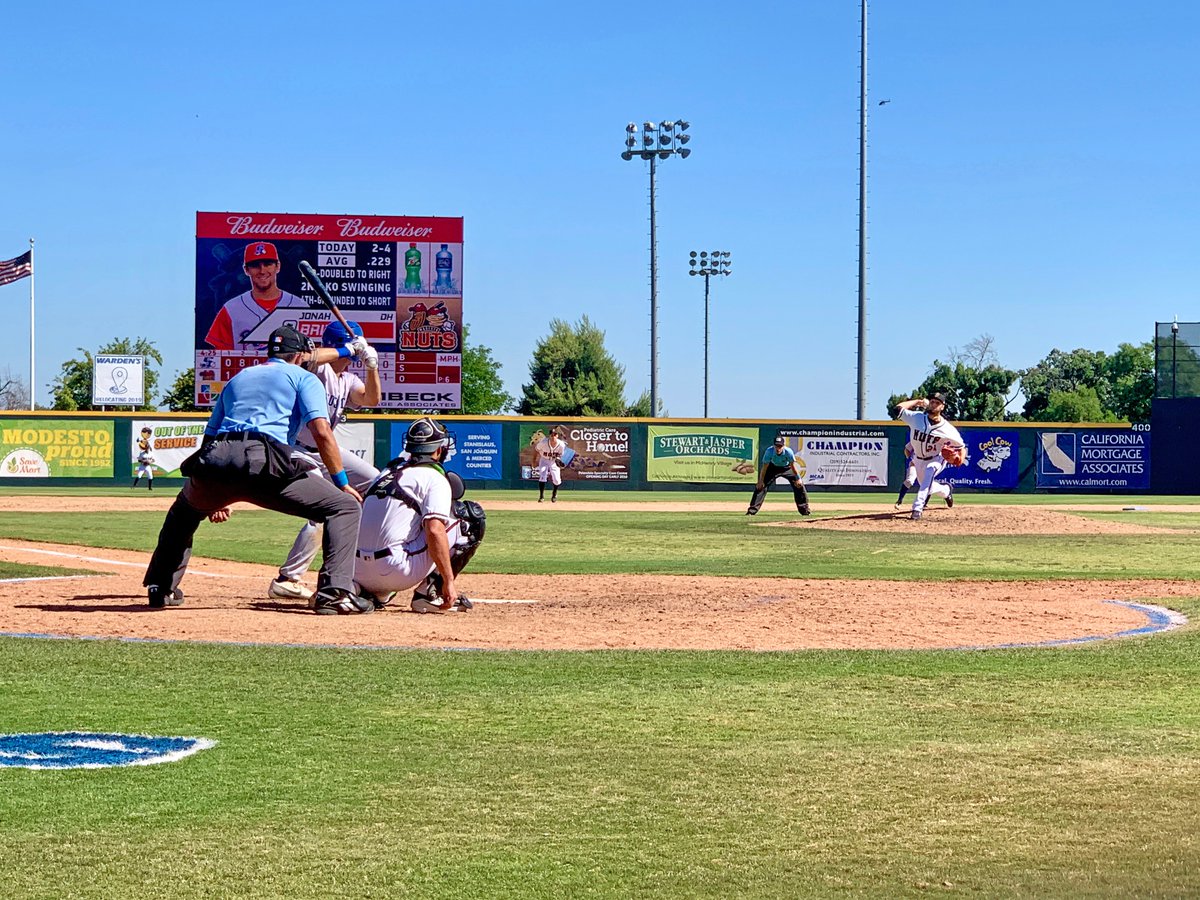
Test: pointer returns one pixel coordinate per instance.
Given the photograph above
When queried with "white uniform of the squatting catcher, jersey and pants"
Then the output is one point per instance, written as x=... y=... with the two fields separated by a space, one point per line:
x=393 y=551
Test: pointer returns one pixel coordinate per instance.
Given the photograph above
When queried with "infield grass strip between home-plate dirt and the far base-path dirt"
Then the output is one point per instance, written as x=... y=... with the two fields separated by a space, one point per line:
x=700 y=544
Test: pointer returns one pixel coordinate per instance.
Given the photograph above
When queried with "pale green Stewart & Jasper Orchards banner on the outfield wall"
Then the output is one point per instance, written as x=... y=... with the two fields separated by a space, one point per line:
x=703 y=453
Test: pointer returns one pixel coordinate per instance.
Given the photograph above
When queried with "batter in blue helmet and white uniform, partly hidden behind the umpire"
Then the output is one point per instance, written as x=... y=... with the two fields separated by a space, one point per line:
x=344 y=391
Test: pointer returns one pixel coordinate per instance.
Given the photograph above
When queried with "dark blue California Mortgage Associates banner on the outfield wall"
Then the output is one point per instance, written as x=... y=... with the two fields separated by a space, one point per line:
x=1101 y=459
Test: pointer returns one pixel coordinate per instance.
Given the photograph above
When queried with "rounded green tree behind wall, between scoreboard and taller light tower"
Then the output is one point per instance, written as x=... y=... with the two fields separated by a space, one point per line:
x=572 y=374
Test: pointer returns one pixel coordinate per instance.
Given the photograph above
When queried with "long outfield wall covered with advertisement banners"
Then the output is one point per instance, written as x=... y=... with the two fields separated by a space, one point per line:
x=65 y=449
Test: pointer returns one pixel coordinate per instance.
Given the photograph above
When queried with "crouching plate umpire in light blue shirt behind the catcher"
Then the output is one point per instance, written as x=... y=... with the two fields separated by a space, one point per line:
x=245 y=457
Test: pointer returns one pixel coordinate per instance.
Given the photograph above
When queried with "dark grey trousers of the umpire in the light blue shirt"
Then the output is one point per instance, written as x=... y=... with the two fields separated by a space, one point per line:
x=310 y=497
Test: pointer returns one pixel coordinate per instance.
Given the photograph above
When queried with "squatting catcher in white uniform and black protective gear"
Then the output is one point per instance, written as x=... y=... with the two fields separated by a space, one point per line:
x=416 y=532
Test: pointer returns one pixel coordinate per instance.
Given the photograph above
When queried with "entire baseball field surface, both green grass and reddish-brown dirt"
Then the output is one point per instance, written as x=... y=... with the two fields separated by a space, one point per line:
x=652 y=699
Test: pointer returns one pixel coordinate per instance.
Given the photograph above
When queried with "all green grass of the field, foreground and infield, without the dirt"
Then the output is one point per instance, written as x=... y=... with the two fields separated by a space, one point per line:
x=1059 y=772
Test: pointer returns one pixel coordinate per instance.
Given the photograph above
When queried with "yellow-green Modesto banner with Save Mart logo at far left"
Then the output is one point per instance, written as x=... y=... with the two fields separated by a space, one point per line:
x=56 y=448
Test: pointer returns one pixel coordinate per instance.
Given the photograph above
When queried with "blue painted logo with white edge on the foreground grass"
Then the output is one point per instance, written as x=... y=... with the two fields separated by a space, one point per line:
x=93 y=751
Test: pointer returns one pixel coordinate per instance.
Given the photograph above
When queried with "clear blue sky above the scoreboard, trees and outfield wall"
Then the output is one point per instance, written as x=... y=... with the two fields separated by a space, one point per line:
x=1034 y=176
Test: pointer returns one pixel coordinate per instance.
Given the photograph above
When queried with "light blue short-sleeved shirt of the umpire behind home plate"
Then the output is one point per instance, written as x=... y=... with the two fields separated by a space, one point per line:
x=274 y=398
